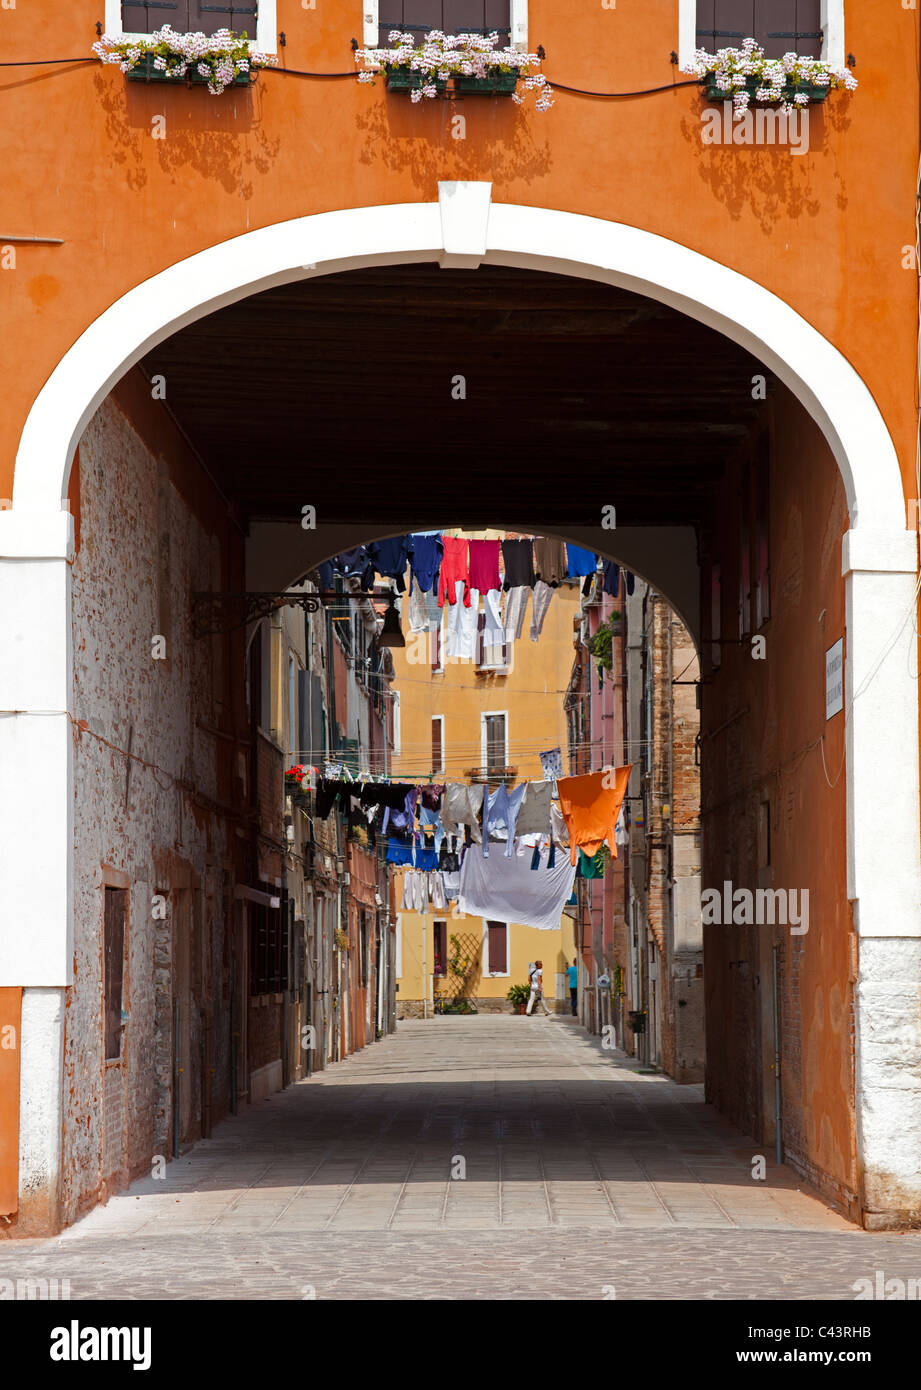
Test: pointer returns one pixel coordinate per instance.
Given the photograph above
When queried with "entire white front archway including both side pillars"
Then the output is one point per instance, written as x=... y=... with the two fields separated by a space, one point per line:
x=466 y=230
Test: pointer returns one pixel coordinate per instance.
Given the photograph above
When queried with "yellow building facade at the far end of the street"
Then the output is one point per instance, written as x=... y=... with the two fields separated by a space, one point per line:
x=463 y=721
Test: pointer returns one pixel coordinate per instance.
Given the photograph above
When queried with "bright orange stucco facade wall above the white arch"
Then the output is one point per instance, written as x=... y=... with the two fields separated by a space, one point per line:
x=824 y=231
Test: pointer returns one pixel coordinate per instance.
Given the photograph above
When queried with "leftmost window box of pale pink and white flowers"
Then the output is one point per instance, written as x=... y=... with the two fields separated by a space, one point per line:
x=217 y=60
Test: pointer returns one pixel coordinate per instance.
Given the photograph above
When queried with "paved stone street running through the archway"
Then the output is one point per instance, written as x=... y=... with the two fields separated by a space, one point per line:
x=580 y=1177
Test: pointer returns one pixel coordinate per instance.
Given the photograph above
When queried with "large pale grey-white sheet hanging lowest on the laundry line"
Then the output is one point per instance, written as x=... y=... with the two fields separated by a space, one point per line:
x=506 y=890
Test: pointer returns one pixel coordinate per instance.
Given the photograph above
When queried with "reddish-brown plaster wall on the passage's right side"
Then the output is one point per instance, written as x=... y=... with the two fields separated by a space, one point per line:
x=762 y=728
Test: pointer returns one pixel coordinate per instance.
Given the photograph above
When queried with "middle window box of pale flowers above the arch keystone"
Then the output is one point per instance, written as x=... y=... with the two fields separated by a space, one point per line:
x=473 y=63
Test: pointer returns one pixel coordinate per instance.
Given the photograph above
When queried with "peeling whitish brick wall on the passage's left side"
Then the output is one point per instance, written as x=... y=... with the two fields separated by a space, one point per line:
x=148 y=825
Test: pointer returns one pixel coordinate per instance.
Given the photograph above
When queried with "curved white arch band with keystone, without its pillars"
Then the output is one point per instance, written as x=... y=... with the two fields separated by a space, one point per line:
x=465 y=229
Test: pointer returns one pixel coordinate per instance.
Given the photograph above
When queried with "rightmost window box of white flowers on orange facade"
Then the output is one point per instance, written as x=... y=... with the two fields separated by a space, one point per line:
x=745 y=76
